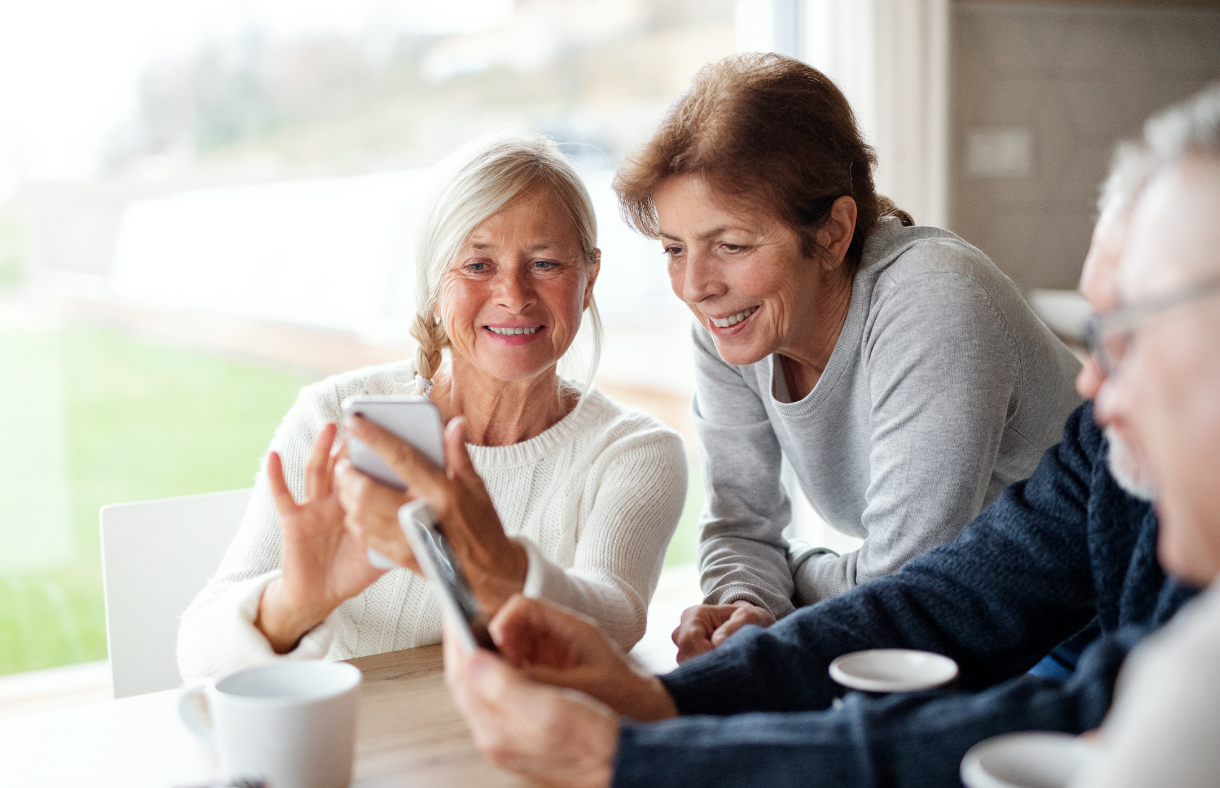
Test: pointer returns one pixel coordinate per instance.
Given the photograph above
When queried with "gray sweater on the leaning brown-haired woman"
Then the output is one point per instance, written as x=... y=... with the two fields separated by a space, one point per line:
x=942 y=390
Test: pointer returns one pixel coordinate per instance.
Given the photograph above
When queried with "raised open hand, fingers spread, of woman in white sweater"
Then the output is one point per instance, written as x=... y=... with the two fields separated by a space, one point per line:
x=324 y=565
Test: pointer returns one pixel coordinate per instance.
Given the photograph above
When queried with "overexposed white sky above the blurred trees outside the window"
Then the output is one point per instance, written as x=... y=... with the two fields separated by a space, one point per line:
x=69 y=69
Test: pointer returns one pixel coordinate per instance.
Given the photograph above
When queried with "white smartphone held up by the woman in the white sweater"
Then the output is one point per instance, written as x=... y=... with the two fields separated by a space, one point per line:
x=414 y=420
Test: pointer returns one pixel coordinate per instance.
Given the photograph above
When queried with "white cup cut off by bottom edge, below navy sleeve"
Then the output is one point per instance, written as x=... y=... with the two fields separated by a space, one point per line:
x=1035 y=759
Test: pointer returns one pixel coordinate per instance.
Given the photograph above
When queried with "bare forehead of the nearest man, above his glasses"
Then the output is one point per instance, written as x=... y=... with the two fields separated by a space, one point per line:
x=1174 y=234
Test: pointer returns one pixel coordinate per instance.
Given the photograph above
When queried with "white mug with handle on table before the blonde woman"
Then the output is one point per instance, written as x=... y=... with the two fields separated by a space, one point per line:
x=291 y=725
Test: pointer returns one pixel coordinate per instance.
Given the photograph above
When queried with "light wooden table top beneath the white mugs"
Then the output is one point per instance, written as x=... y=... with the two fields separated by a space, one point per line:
x=408 y=732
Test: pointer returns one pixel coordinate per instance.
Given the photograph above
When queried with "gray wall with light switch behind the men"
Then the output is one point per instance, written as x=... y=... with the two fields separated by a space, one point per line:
x=1039 y=97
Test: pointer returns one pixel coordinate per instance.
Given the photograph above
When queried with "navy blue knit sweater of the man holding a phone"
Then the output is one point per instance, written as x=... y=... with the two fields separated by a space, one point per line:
x=1062 y=550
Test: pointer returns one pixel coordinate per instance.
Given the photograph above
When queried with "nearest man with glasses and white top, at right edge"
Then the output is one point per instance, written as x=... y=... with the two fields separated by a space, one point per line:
x=1162 y=353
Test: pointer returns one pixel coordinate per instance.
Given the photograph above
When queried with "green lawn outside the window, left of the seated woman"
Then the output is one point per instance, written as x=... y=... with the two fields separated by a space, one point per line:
x=127 y=421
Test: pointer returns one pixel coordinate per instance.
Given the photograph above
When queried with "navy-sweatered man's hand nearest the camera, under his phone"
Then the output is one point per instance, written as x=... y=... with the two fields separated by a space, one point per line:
x=557 y=737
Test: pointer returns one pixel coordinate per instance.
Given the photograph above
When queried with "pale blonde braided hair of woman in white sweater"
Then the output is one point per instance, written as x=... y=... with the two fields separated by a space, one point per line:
x=474 y=182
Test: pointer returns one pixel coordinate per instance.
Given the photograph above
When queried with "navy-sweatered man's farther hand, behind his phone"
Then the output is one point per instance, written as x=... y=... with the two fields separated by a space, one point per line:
x=561 y=648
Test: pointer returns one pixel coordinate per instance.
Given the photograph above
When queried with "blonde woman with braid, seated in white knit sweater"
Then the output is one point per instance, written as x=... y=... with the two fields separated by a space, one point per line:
x=553 y=490
